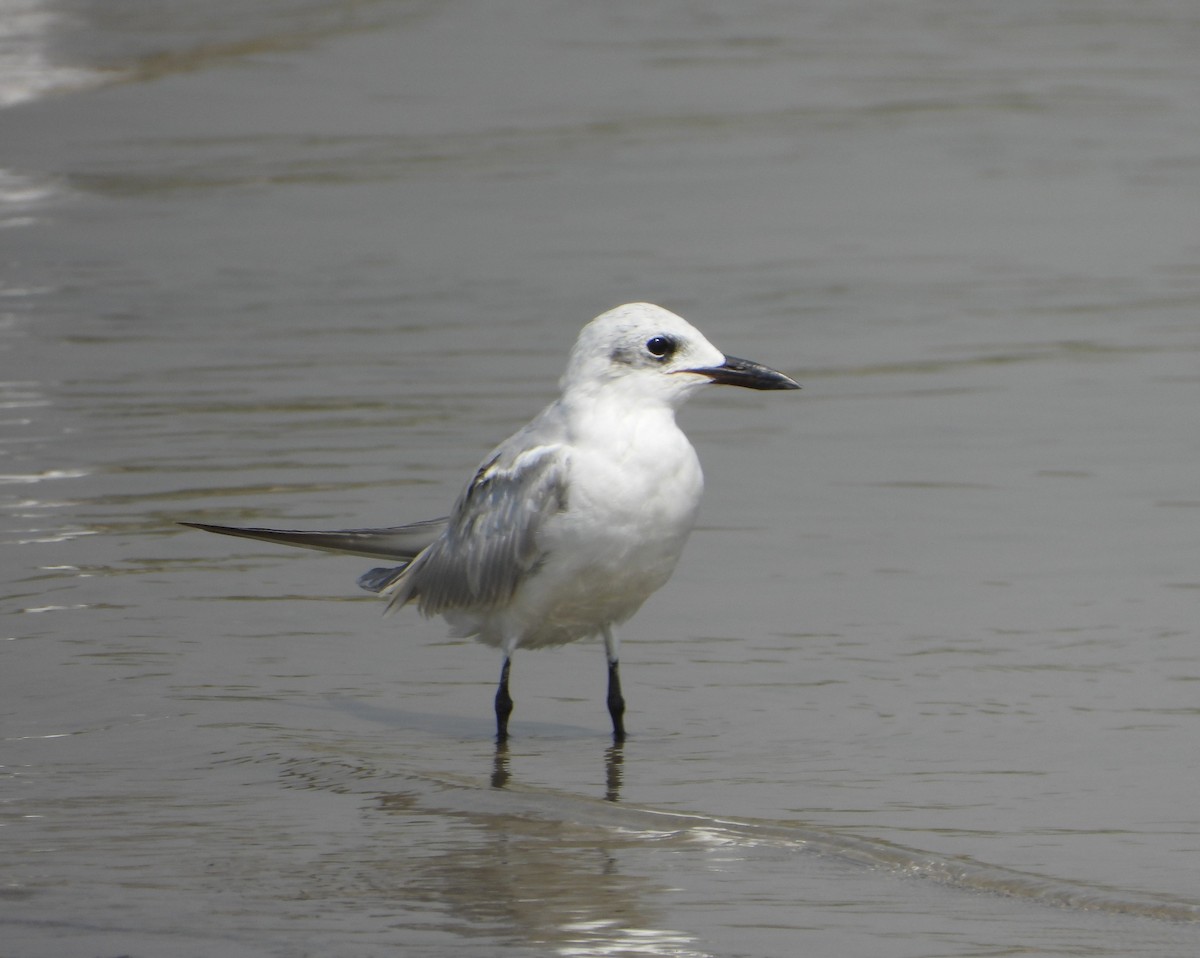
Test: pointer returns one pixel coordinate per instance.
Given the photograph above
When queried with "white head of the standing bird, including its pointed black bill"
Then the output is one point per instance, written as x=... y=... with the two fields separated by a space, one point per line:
x=652 y=355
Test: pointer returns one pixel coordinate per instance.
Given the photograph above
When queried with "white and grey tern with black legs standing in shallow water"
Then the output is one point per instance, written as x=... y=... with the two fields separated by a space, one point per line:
x=574 y=522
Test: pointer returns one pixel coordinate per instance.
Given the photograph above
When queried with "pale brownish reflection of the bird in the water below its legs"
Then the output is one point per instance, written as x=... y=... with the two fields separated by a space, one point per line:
x=502 y=867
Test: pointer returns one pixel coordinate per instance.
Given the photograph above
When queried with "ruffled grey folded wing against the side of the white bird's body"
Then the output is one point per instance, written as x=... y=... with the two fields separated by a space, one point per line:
x=491 y=542
